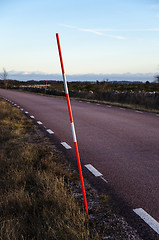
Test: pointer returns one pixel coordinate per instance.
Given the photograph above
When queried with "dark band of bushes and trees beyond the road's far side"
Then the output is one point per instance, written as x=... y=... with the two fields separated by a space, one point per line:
x=141 y=94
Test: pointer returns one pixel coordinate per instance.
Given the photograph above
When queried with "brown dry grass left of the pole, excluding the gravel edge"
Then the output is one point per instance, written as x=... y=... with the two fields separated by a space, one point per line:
x=35 y=201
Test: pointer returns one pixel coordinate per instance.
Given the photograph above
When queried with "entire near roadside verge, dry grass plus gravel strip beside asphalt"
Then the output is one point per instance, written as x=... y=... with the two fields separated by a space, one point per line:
x=40 y=194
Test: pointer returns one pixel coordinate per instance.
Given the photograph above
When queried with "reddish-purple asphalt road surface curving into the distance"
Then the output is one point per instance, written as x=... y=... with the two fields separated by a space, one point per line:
x=122 y=144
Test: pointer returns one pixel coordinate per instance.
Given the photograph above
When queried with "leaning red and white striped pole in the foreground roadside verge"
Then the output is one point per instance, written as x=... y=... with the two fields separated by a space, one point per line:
x=72 y=124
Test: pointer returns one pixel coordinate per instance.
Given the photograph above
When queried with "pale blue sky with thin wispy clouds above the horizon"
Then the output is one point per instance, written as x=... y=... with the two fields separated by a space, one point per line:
x=104 y=37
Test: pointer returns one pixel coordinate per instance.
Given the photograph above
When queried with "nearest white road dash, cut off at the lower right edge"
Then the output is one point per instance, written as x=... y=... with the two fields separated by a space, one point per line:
x=148 y=219
